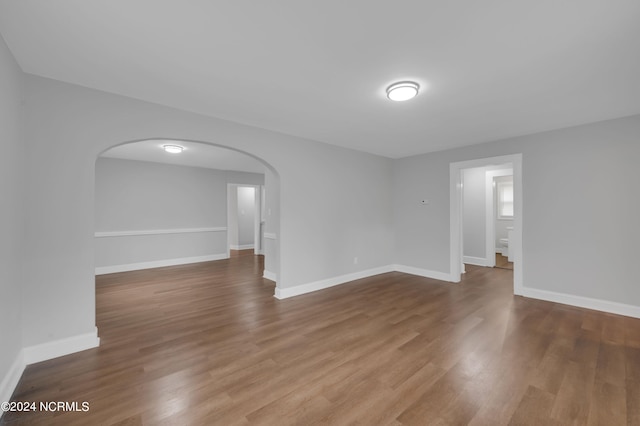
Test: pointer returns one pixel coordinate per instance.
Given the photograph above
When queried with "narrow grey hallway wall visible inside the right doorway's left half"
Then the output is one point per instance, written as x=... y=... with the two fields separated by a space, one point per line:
x=473 y=213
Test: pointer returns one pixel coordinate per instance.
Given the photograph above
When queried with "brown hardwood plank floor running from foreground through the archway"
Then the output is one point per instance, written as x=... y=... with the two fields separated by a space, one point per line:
x=208 y=344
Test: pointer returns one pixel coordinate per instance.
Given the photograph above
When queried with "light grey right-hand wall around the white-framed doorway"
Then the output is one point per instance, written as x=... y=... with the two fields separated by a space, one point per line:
x=575 y=181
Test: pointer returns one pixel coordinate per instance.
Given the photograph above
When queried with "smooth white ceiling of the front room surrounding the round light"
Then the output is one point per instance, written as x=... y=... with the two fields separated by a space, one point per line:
x=491 y=69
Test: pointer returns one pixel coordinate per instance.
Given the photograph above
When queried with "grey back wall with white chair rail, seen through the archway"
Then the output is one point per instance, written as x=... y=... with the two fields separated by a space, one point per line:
x=145 y=196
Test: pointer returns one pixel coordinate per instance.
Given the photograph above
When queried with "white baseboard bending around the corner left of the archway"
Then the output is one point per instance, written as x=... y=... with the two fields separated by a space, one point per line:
x=43 y=352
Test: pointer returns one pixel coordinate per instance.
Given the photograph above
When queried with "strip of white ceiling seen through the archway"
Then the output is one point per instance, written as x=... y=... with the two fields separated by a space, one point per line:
x=194 y=155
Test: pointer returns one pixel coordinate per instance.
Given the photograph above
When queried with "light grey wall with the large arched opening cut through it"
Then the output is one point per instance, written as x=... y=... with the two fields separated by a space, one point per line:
x=326 y=219
